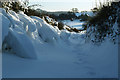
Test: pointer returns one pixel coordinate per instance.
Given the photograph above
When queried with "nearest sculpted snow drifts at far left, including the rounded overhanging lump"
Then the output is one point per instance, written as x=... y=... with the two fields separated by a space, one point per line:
x=19 y=27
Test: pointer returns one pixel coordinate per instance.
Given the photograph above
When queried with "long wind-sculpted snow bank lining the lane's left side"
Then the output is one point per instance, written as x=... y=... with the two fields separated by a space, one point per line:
x=23 y=30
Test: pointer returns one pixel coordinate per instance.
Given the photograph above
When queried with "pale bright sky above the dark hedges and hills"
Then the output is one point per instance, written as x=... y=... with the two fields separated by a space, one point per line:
x=64 y=5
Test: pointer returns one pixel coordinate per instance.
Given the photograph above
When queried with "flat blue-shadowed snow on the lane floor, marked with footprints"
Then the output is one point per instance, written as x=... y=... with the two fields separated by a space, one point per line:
x=63 y=62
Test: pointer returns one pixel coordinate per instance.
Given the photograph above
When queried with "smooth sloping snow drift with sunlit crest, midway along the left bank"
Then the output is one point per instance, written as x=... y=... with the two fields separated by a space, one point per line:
x=47 y=32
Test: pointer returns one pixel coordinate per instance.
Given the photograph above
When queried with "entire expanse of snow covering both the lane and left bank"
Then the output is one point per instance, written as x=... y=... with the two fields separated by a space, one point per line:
x=42 y=51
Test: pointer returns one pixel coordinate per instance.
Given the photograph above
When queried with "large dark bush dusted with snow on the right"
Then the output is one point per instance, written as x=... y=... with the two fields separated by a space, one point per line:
x=101 y=25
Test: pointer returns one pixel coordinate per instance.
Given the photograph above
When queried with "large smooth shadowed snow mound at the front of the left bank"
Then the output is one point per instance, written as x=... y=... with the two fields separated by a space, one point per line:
x=21 y=43
